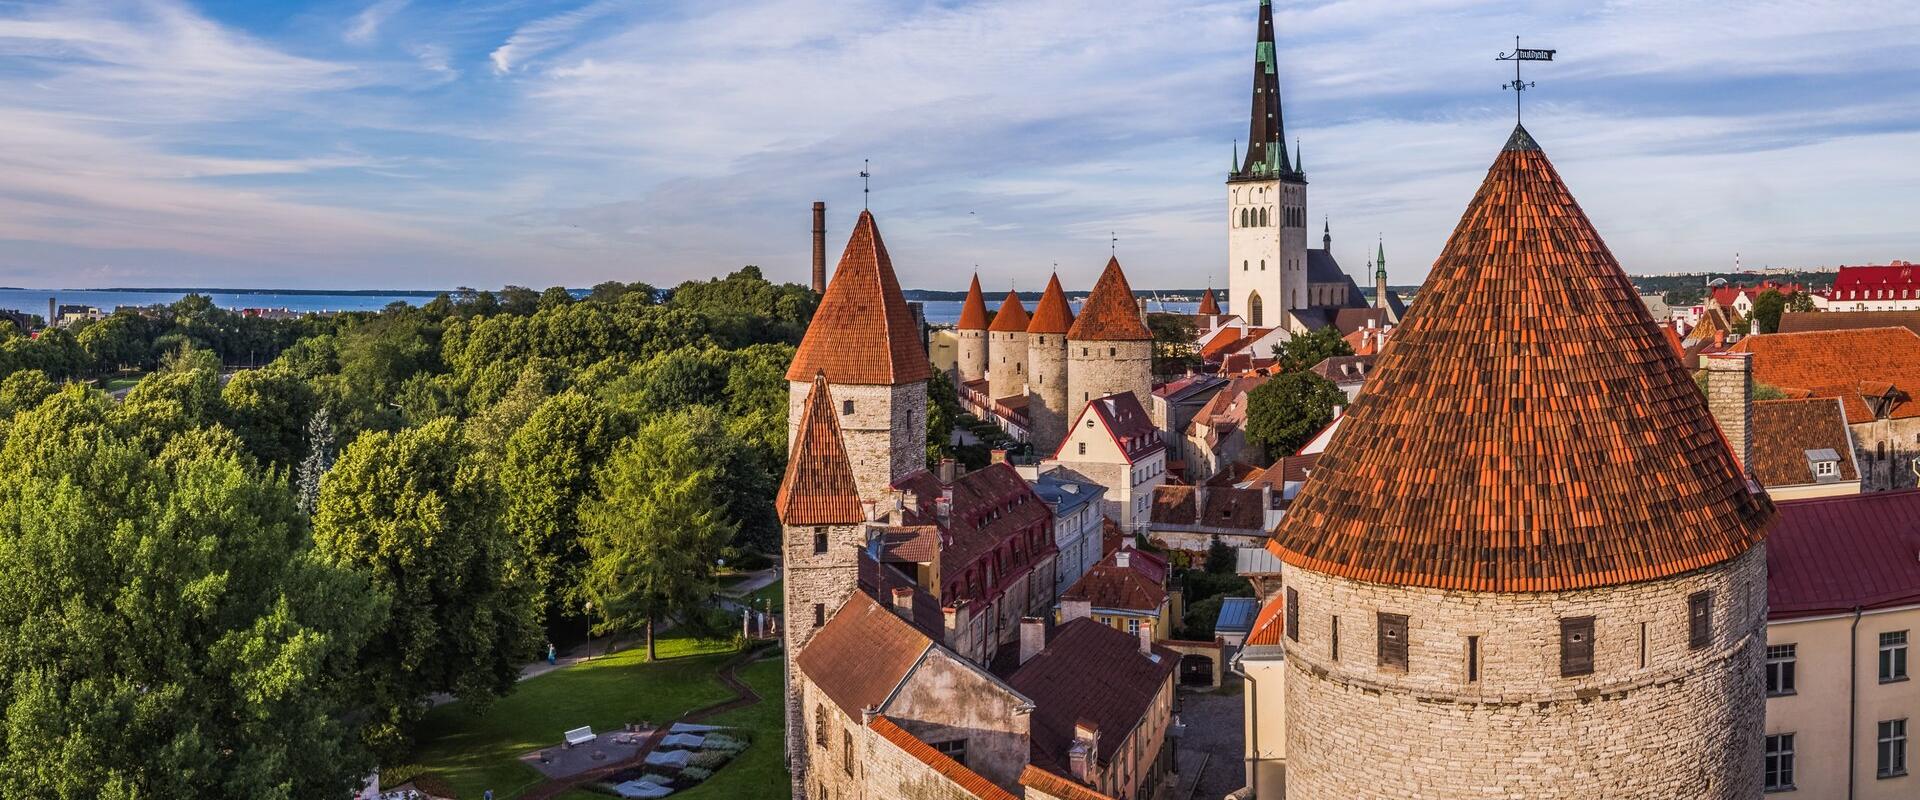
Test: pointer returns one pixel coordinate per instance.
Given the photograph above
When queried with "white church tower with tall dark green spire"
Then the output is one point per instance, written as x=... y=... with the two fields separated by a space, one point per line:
x=1266 y=206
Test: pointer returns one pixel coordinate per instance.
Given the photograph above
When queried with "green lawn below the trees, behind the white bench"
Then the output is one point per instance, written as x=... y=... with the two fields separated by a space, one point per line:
x=479 y=753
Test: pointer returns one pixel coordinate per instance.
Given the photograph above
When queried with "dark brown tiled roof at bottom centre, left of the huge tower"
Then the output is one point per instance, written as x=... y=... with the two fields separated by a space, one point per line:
x=1090 y=672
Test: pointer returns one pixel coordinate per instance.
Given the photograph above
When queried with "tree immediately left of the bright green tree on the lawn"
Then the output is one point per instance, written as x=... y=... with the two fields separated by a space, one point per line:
x=546 y=475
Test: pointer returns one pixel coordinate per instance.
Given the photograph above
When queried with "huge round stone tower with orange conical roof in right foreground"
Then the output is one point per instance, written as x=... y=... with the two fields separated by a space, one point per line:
x=1527 y=565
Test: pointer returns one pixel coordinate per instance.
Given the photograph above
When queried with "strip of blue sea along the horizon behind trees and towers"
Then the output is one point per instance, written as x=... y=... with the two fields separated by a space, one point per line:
x=34 y=302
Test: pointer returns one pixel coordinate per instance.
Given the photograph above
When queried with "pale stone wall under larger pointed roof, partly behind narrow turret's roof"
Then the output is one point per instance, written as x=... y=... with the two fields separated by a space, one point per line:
x=886 y=435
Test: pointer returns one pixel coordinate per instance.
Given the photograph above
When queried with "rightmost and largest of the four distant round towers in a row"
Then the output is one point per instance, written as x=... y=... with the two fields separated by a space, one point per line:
x=1109 y=348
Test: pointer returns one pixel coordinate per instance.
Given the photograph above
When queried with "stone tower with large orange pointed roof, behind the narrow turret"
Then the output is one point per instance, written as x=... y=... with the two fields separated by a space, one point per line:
x=876 y=367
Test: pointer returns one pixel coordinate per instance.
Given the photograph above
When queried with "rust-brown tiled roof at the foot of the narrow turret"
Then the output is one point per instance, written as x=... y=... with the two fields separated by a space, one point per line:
x=861 y=655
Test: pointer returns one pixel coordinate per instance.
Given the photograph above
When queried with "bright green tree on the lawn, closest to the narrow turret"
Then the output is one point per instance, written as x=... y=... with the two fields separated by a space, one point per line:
x=656 y=530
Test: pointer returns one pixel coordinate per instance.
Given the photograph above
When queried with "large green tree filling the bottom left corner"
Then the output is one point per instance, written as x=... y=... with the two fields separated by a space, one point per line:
x=166 y=630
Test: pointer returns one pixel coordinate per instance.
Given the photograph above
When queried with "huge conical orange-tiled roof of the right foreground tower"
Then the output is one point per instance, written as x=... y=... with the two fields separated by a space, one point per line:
x=1525 y=452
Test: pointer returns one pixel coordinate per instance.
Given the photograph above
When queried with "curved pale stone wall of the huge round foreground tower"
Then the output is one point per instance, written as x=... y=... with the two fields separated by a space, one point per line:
x=1685 y=724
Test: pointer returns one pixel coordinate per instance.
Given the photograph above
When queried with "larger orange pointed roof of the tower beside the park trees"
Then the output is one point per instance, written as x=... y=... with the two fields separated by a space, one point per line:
x=863 y=331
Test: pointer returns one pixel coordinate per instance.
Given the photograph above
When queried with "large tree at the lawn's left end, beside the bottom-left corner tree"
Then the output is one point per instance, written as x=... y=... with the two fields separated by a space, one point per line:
x=420 y=519
